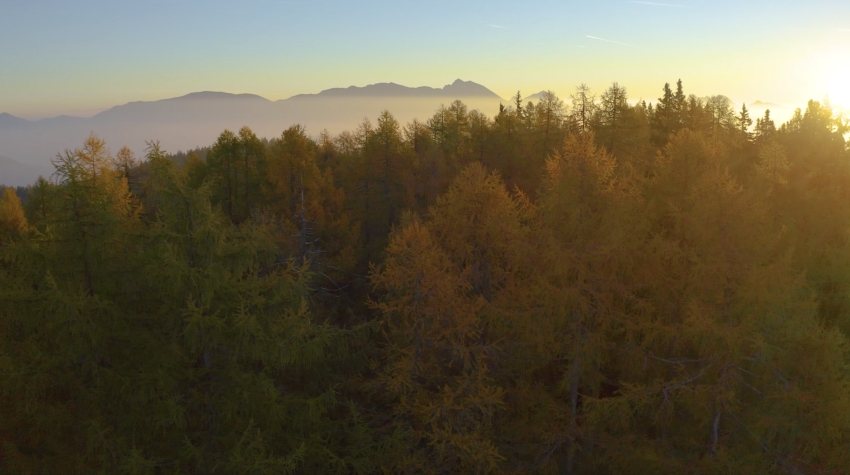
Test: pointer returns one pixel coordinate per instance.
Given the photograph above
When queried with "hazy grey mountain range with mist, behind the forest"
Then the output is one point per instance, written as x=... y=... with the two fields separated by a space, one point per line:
x=196 y=119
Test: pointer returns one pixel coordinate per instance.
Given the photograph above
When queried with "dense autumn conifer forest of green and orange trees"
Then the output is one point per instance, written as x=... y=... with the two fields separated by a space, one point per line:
x=578 y=286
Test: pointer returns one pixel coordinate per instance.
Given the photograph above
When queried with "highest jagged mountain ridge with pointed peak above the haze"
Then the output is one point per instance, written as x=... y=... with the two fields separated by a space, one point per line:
x=458 y=89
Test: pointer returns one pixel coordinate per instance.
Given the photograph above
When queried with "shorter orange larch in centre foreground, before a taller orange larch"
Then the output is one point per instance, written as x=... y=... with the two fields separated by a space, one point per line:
x=435 y=373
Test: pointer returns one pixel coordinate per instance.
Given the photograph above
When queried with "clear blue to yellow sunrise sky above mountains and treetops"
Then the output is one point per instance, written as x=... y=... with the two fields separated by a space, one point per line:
x=76 y=58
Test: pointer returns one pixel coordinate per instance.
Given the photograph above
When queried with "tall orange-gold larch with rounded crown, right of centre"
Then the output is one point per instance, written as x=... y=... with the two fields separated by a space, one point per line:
x=589 y=222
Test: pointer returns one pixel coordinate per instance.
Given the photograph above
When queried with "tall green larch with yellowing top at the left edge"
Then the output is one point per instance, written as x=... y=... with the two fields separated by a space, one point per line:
x=59 y=304
